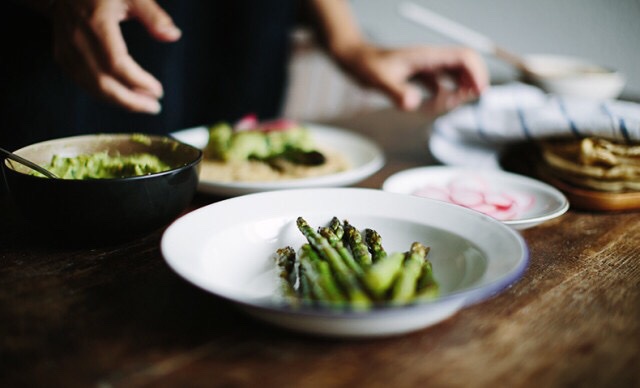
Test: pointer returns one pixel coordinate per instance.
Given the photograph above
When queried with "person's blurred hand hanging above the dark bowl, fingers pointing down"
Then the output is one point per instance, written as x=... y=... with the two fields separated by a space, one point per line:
x=89 y=46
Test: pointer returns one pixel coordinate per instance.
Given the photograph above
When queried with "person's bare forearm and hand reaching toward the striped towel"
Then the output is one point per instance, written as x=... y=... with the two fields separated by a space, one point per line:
x=393 y=70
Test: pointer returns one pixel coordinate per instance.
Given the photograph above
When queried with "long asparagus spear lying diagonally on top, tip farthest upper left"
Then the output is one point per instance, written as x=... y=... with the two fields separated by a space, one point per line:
x=346 y=277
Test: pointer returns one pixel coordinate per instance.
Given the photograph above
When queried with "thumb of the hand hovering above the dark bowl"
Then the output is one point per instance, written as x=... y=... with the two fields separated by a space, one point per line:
x=155 y=19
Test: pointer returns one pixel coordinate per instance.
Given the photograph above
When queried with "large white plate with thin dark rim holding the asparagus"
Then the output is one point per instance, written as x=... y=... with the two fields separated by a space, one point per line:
x=226 y=248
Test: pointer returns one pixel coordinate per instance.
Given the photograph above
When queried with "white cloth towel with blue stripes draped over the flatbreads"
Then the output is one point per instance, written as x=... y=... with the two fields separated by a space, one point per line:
x=518 y=111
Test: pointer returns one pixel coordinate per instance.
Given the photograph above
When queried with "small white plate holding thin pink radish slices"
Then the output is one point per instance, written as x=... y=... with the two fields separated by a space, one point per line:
x=518 y=201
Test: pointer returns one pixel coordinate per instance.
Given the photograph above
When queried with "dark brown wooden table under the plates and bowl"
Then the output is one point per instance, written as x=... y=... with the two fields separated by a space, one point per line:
x=119 y=316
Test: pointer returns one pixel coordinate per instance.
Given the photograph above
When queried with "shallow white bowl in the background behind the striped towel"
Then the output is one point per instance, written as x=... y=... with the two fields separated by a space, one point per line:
x=576 y=77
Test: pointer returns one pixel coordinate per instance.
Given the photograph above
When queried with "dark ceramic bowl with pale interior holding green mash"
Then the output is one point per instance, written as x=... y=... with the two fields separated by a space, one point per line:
x=104 y=209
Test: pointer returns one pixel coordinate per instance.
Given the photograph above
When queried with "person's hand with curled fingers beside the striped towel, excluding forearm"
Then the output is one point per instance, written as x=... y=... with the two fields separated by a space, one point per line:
x=457 y=72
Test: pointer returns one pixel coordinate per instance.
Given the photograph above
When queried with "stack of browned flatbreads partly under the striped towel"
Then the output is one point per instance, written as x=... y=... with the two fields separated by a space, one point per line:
x=593 y=163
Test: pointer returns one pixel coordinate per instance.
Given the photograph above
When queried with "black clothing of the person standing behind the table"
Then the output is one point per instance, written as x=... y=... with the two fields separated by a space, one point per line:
x=231 y=60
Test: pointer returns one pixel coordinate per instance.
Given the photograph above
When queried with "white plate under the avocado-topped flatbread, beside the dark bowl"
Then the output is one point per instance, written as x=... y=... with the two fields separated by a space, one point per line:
x=365 y=157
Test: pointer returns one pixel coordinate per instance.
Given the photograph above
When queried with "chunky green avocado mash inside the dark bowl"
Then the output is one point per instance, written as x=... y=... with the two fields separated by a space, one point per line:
x=103 y=166
